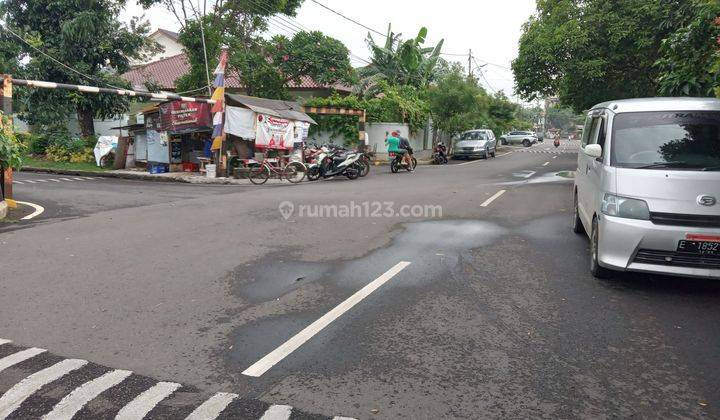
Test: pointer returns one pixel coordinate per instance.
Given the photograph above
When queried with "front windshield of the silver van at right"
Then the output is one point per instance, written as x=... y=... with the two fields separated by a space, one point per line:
x=659 y=140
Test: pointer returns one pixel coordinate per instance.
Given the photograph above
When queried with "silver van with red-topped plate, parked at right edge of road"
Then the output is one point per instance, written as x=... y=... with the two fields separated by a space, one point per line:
x=647 y=186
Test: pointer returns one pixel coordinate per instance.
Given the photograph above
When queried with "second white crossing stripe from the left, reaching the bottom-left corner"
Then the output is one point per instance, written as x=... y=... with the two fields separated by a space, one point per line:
x=11 y=400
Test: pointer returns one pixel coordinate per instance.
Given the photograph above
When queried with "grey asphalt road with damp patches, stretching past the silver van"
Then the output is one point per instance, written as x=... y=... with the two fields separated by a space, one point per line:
x=472 y=303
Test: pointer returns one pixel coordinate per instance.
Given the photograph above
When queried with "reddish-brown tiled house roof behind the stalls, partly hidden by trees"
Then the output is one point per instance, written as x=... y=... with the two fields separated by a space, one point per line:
x=165 y=71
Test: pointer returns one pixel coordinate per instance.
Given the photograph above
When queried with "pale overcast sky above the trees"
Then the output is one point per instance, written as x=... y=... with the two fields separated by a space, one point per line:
x=491 y=28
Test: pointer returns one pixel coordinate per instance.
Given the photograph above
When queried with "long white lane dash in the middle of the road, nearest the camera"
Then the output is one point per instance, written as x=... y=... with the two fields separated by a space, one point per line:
x=264 y=364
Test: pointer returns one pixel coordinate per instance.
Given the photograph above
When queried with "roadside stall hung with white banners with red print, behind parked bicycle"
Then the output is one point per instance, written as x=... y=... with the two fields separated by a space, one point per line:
x=257 y=128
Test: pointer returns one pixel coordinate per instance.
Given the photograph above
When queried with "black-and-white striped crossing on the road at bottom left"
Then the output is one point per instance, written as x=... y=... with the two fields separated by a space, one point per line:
x=37 y=384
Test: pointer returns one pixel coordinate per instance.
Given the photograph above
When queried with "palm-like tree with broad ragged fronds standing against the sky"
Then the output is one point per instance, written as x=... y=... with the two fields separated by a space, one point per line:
x=399 y=62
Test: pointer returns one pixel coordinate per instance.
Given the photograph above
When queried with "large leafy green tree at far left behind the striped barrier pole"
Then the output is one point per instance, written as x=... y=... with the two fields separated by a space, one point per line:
x=85 y=35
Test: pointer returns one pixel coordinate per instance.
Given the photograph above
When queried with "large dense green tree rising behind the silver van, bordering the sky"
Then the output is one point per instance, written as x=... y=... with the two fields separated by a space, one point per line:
x=595 y=50
